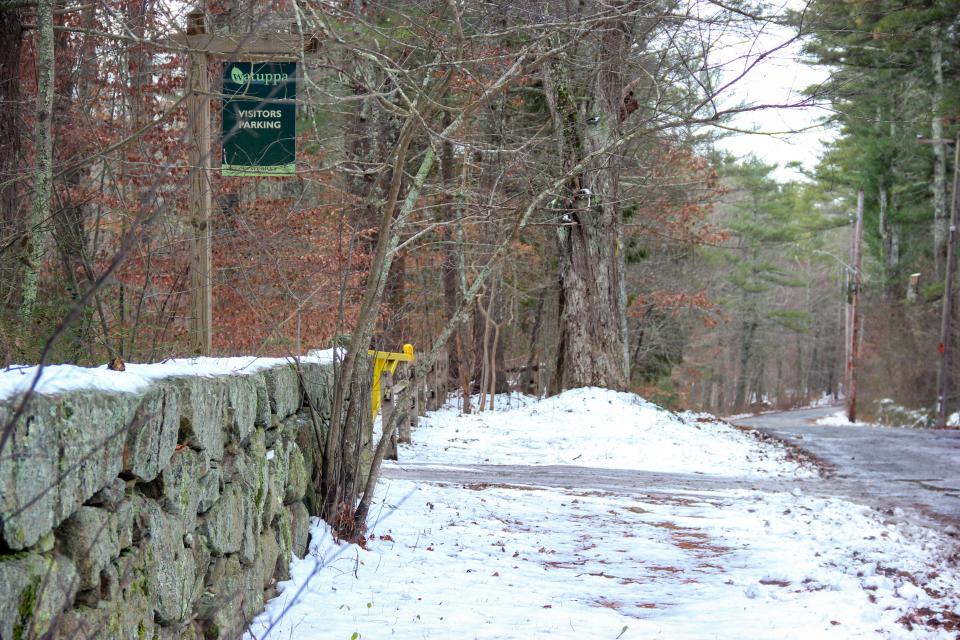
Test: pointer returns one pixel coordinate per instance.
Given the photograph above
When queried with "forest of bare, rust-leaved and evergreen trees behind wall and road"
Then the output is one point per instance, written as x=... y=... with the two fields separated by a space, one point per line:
x=546 y=171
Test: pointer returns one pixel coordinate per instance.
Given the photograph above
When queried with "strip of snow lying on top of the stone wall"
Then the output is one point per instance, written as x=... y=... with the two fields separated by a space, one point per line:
x=61 y=378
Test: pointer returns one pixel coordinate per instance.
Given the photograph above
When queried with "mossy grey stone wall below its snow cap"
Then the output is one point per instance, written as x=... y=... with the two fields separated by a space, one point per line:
x=169 y=513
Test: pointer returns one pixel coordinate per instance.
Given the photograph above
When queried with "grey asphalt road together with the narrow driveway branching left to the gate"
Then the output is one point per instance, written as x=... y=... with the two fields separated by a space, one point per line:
x=910 y=474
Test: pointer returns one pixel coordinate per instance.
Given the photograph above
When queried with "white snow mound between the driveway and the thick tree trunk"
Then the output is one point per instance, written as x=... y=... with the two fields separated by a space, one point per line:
x=595 y=427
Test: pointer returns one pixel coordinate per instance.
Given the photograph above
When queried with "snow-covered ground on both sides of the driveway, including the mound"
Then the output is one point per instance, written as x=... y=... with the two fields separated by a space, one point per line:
x=492 y=561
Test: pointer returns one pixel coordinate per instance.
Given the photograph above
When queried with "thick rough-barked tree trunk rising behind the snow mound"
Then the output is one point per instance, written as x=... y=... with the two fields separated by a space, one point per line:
x=593 y=317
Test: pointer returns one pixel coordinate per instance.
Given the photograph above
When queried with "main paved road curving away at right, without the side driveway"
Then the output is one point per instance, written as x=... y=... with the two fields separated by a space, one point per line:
x=914 y=469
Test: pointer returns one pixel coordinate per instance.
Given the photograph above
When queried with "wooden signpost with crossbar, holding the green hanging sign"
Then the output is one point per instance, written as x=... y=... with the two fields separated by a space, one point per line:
x=200 y=46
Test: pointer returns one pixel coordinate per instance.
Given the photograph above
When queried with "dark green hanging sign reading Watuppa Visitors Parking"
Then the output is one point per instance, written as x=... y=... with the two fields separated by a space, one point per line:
x=259 y=132
